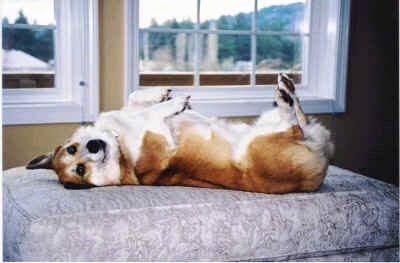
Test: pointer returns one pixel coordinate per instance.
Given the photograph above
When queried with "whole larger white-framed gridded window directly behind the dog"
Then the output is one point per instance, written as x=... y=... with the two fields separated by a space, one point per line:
x=226 y=54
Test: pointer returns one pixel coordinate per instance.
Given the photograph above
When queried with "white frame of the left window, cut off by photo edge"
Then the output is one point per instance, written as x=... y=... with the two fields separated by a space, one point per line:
x=75 y=97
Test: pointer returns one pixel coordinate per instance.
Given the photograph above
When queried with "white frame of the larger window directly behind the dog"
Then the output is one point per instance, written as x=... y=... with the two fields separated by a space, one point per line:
x=324 y=82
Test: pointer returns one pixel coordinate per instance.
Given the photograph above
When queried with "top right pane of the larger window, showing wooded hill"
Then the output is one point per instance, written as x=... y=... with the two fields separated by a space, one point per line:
x=281 y=15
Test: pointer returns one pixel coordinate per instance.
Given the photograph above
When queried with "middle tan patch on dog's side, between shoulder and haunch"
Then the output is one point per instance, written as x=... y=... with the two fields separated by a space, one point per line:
x=198 y=161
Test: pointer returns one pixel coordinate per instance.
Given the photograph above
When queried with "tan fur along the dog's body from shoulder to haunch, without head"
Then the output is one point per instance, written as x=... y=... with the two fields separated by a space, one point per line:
x=287 y=166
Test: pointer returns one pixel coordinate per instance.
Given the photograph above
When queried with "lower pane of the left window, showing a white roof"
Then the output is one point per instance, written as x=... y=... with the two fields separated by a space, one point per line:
x=28 y=58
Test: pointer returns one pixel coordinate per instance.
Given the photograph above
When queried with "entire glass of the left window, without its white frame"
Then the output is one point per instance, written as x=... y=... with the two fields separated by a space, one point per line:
x=28 y=33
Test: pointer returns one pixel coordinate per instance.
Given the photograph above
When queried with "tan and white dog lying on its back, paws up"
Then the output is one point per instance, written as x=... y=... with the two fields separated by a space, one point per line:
x=156 y=140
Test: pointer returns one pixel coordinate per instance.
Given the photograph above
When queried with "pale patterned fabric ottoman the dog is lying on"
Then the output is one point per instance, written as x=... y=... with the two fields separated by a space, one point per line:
x=351 y=217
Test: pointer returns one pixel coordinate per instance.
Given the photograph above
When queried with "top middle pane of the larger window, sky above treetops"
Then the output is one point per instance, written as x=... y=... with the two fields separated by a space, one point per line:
x=236 y=15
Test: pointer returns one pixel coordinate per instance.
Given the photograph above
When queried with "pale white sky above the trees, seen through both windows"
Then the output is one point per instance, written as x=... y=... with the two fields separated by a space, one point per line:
x=41 y=11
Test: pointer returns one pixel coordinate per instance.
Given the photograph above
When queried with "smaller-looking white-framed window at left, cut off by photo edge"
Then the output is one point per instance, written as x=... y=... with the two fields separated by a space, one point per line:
x=50 y=58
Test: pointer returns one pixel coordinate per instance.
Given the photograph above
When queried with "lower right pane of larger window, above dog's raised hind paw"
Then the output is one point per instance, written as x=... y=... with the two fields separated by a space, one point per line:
x=279 y=54
